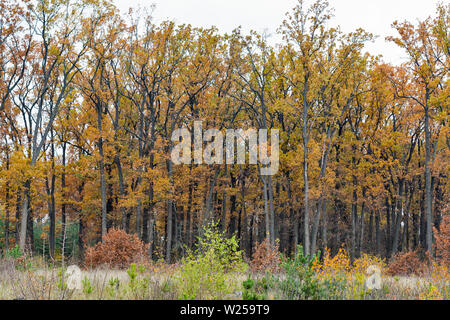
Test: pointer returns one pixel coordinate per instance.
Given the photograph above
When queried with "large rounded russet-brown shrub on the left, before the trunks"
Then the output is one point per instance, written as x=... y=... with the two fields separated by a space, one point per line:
x=118 y=250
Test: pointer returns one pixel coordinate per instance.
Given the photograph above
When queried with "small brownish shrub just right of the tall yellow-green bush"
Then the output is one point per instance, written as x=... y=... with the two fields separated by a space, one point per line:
x=265 y=258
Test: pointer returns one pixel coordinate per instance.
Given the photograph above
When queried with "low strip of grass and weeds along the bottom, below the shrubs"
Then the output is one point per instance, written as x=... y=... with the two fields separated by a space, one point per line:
x=35 y=279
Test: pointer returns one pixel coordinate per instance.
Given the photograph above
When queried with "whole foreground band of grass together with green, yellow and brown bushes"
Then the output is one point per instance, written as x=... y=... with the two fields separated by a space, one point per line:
x=216 y=269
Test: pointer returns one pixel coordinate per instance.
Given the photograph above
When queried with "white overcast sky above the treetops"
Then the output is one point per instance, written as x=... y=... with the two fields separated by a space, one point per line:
x=375 y=16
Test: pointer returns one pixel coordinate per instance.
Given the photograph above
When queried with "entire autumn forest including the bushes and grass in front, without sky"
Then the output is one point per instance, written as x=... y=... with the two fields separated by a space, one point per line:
x=90 y=98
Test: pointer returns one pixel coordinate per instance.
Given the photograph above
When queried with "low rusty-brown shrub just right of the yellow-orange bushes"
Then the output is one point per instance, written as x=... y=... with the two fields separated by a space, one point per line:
x=409 y=263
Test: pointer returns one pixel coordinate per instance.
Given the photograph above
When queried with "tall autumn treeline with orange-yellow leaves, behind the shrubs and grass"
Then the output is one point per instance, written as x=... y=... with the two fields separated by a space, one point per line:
x=89 y=99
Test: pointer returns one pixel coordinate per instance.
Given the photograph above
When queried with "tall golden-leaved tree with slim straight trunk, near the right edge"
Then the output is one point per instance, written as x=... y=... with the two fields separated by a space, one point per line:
x=428 y=67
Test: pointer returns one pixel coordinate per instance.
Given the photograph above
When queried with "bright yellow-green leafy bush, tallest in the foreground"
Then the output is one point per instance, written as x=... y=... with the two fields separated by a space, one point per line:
x=209 y=271
